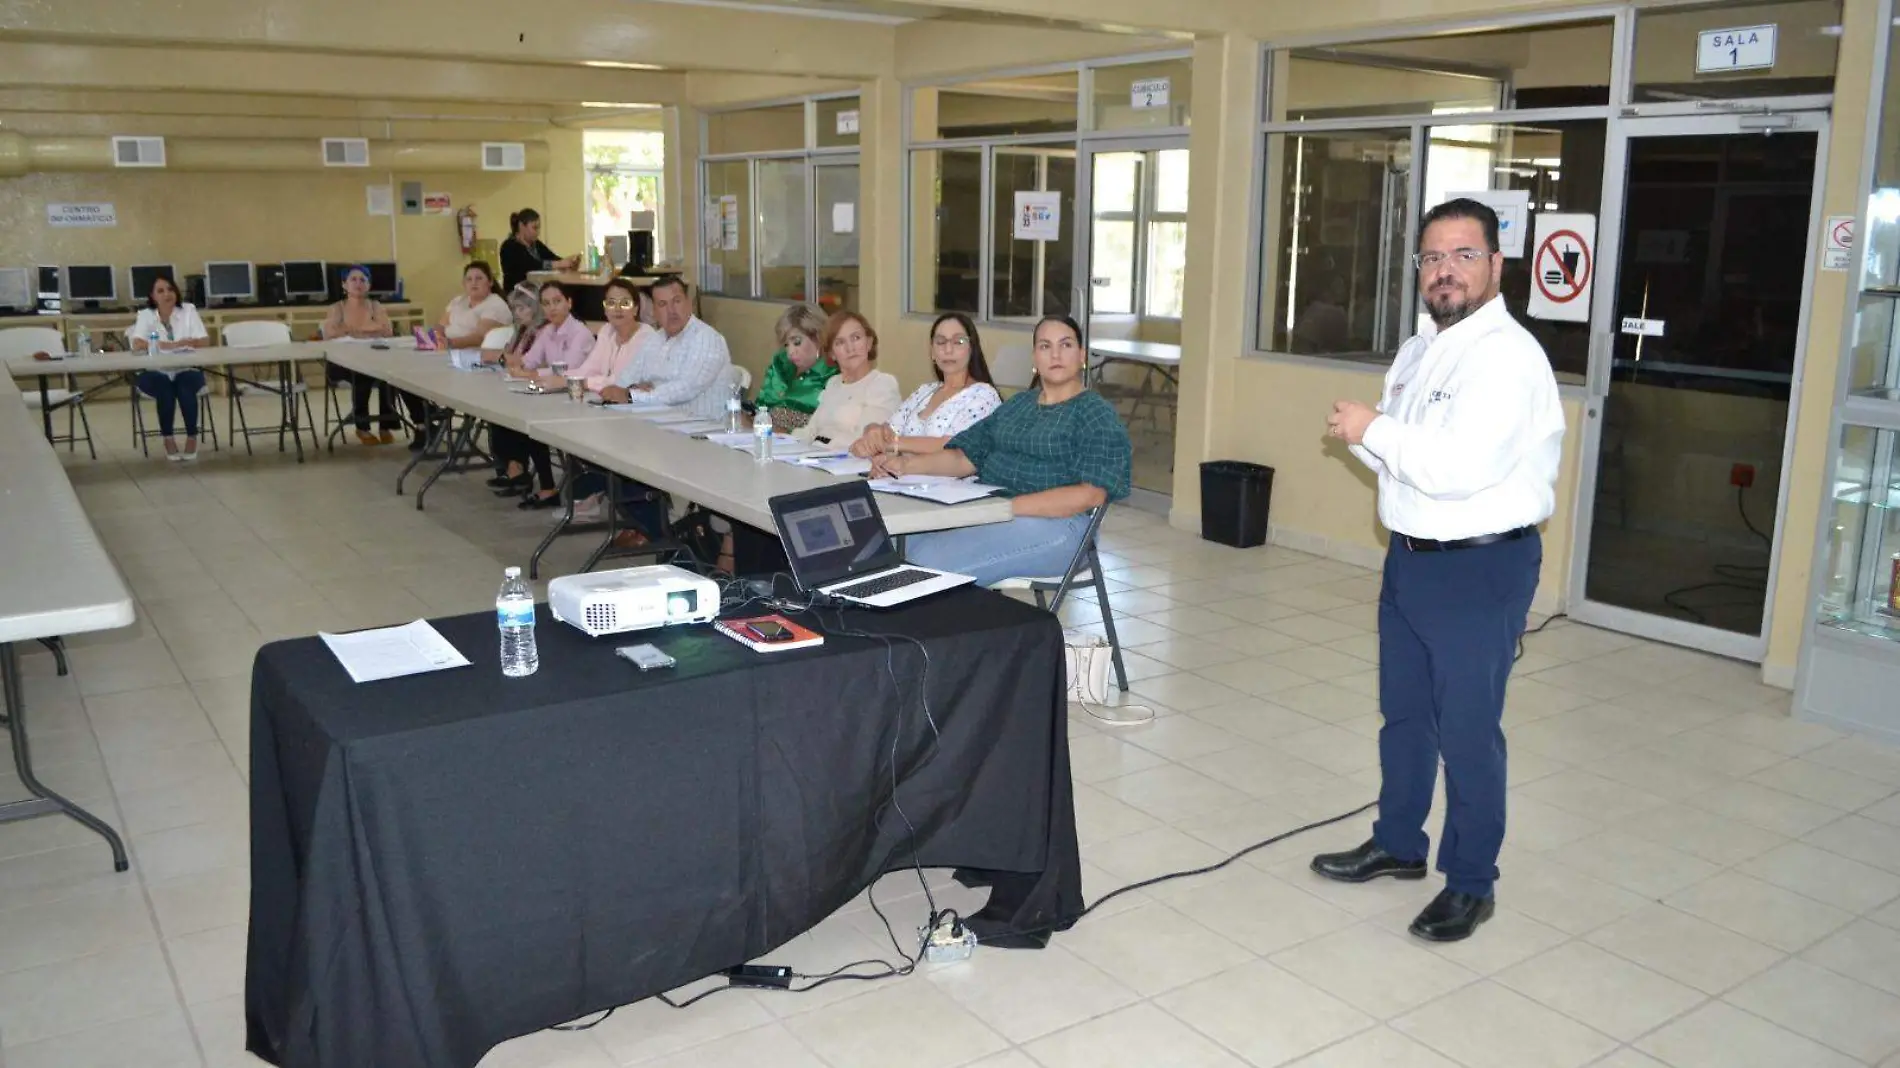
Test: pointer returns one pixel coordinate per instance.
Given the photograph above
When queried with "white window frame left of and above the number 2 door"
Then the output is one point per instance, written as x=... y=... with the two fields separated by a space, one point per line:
x=989 y=145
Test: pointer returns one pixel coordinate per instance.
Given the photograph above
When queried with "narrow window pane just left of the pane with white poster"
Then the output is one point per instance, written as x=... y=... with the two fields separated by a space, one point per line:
x=945 y=231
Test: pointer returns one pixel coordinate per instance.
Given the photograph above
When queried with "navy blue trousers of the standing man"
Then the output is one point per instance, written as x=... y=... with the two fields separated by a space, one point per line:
x=1449 y=632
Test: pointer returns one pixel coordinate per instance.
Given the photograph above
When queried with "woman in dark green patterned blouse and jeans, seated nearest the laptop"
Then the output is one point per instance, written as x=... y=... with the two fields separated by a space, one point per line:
x=1059 y=451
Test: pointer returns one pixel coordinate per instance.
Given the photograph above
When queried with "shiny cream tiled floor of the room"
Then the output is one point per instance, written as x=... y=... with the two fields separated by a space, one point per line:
x=1690 y=879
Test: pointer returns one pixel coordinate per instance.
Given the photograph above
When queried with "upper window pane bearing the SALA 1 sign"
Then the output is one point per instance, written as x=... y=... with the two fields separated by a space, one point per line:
x=1806 y=47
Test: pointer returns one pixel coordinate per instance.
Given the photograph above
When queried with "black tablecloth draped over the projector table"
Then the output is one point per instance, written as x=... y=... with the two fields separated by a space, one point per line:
x=446 y=862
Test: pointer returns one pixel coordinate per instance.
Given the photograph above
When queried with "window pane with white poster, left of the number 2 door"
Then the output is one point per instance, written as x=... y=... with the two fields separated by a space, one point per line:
x=1033 y=278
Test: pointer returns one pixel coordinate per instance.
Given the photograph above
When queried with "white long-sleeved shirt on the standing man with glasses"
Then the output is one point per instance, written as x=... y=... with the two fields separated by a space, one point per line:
x=1472 y=432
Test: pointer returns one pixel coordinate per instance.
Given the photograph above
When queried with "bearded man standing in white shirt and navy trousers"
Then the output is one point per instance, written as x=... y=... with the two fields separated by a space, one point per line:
x=1466 y=444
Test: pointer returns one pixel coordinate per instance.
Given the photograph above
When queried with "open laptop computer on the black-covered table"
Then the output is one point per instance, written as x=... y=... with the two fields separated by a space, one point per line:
x=837 y=544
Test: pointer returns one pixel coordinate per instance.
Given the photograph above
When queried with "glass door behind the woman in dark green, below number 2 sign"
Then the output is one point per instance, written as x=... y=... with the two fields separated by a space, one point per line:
x=1130 y=265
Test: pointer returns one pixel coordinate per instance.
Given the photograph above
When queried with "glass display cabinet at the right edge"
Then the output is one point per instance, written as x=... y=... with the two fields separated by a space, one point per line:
x=1852 y=664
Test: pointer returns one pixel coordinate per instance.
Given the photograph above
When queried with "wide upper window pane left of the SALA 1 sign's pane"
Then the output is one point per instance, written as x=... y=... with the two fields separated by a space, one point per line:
x=1530 y=67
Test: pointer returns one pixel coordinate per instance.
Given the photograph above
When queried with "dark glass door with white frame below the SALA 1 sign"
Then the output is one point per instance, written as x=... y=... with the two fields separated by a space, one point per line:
x=1698 y=353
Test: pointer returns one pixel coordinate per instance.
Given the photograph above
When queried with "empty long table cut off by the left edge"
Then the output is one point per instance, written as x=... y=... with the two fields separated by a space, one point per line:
x=58 y=581
